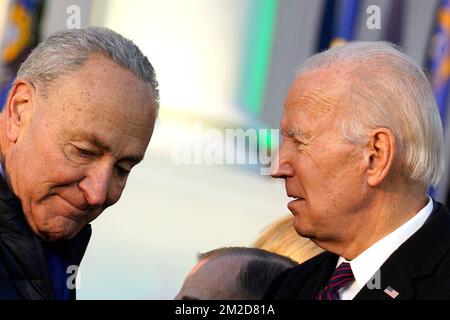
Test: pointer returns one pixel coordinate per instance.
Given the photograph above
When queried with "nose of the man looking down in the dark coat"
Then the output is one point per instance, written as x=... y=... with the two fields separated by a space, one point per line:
x=95 y=186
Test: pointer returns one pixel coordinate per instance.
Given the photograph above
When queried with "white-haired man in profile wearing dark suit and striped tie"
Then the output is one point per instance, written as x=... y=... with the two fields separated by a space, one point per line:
x=362 y=144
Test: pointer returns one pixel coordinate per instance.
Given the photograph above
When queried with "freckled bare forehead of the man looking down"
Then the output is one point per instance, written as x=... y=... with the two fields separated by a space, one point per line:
x=105 y=97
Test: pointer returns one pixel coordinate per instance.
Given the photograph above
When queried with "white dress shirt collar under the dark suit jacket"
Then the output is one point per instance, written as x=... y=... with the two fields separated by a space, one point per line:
x=367 y=263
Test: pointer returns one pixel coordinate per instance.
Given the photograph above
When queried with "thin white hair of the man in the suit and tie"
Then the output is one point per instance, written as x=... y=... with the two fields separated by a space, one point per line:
x=388 y=89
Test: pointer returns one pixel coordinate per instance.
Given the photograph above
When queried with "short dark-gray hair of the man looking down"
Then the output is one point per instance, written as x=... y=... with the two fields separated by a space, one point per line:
x=66 y=51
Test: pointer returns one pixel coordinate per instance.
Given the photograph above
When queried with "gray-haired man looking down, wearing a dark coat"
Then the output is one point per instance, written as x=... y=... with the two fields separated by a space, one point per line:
x=77 y=118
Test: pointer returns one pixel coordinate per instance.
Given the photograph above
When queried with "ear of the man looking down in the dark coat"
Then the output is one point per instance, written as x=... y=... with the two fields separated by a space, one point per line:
x=18 y=108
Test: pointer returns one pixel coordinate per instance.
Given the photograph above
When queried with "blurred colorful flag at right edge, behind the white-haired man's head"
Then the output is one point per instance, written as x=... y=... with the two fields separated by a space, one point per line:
x=439 y=66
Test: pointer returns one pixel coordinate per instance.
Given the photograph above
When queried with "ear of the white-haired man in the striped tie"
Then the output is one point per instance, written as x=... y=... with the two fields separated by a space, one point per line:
x=381 y=154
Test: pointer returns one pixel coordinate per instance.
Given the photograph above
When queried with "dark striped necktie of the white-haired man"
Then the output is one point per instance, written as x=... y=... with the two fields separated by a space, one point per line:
x=339 y=279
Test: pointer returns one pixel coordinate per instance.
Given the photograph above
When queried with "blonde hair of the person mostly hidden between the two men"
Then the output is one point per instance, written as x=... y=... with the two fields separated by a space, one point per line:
x=280 y=237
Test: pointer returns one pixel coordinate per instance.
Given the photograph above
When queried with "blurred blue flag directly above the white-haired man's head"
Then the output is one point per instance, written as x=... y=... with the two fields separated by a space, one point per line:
x=339 y=22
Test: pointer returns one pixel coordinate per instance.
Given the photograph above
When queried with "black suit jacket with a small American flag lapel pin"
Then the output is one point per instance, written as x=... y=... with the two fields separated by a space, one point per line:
x=418 y=269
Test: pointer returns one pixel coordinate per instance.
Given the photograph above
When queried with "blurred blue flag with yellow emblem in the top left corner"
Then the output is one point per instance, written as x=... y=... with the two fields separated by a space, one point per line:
x=20 y=36
